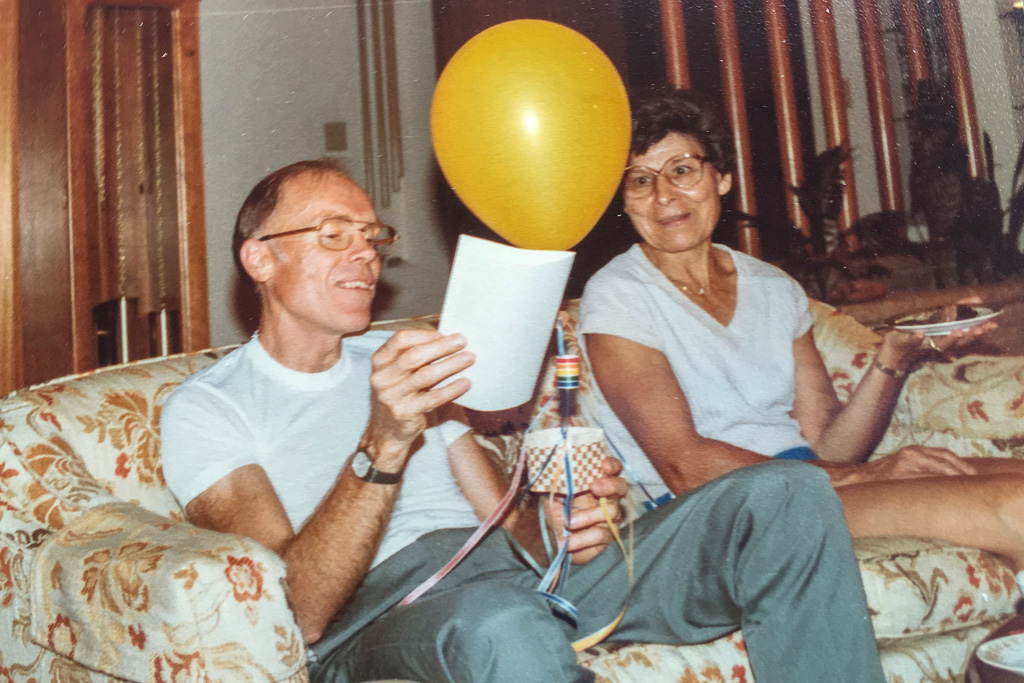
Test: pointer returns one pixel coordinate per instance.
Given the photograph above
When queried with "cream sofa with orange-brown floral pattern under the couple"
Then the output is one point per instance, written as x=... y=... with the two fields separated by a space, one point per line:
x=102 y=579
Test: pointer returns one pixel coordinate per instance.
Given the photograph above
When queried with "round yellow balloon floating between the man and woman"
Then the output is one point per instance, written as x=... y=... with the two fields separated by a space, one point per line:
x=531 y=126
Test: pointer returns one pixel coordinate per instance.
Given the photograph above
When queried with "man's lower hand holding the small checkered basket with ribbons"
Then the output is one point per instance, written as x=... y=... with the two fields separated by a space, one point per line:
x=589 y=531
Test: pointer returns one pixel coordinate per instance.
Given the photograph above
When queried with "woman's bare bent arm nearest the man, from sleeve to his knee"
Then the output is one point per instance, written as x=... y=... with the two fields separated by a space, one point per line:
x=641 y=388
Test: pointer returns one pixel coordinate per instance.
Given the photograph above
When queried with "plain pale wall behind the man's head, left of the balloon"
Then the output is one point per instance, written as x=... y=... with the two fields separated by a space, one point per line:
x=273 y=74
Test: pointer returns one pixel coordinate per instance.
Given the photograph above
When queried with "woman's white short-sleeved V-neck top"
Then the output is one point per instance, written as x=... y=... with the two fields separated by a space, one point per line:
x=739 y=379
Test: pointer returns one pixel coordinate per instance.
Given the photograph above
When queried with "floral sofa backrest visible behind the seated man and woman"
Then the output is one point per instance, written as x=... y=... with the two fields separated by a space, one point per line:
x=71 y=443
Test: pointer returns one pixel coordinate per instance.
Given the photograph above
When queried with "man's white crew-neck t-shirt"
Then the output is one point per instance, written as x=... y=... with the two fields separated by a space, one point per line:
x=302 y=429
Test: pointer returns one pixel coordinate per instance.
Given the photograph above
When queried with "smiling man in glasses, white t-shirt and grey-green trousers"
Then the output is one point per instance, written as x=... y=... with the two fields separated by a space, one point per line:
x=323 y=442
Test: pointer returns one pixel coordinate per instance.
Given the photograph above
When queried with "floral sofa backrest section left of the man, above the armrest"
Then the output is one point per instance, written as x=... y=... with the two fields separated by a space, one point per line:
x=77 y=441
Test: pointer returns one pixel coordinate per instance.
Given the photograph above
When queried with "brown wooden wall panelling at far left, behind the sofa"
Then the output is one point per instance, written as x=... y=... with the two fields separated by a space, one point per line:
x=47 y=314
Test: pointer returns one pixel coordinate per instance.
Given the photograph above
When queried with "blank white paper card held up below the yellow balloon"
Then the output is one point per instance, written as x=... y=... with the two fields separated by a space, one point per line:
x=504 y=301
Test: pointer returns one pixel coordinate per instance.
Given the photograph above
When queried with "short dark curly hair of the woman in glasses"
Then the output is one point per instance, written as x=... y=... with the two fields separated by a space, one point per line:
x=664 y=111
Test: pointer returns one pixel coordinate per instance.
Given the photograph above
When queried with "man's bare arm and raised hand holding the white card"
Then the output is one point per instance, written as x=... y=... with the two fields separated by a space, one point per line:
x=329 y=558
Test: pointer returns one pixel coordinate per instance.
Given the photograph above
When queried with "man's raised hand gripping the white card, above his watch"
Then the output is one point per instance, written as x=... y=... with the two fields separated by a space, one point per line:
x=404 y=383
